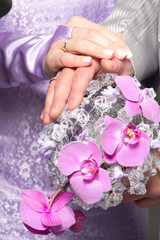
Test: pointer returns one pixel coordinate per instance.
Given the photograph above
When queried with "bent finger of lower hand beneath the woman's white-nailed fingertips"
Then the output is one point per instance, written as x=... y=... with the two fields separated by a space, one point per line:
x=121 y=67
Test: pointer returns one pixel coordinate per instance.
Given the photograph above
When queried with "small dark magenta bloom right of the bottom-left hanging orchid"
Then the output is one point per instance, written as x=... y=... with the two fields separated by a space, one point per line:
x=80 y=218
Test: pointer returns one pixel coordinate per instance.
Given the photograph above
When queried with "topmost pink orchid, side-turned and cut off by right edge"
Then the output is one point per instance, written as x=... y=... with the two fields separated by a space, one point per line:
x=137 y=100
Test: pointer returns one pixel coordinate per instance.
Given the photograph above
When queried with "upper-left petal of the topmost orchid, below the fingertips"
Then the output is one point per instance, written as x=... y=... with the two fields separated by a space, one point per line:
x=128 y=87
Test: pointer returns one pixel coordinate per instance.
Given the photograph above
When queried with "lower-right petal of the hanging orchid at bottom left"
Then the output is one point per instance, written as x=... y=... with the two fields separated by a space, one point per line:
x=67 y=218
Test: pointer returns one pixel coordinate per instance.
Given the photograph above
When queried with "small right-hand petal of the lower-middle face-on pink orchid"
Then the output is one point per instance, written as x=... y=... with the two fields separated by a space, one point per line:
x=104 y=179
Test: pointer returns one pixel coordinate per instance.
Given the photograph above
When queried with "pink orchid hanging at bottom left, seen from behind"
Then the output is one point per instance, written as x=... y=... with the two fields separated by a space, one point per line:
x=42 y=214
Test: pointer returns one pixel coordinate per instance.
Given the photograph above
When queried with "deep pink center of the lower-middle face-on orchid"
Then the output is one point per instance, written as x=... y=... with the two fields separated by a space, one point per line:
x=89 y=169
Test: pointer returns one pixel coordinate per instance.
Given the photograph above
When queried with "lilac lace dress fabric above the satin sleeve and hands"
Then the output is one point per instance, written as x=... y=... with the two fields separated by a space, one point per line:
x=39 y=17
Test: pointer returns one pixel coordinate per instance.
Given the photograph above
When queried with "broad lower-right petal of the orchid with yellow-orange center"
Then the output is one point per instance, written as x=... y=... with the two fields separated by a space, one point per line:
x=132 y=155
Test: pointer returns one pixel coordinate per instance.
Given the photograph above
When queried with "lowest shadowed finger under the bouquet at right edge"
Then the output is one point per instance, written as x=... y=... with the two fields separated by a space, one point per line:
x=146 y=202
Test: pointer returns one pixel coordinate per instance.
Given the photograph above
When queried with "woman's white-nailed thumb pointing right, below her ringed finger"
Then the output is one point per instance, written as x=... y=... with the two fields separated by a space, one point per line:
x=60 y=59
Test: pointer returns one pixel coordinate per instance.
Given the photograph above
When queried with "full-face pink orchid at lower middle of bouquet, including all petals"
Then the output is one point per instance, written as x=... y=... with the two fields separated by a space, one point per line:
x=80 y=162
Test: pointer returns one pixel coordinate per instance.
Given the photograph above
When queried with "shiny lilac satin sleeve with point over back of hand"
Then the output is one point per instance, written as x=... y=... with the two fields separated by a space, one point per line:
x=22 y=57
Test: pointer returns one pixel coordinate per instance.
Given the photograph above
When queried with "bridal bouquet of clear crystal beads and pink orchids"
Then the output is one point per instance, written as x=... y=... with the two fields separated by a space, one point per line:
x=106 y=147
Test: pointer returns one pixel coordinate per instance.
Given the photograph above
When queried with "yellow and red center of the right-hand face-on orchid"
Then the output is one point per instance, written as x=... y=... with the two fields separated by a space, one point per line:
x=131 y=134
